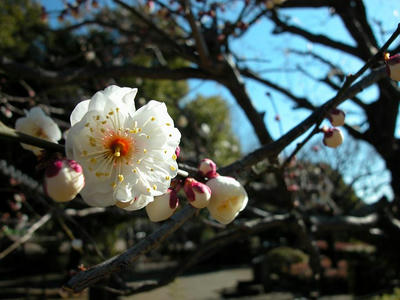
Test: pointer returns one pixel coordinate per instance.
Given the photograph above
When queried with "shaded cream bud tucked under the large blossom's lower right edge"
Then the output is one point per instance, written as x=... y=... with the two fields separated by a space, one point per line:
x=163 y=206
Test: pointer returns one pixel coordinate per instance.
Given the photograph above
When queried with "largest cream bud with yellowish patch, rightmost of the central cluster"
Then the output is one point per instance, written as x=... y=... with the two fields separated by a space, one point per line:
x=228 y=198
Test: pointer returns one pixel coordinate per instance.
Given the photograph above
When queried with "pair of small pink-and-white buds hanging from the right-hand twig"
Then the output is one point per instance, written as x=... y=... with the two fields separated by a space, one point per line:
x=333 y=136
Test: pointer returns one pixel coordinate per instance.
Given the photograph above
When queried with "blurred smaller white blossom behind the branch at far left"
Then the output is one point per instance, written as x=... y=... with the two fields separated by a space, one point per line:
x=38 y=124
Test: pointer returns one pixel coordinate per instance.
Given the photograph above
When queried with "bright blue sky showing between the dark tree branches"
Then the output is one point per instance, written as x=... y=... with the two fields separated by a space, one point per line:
x=258 y=42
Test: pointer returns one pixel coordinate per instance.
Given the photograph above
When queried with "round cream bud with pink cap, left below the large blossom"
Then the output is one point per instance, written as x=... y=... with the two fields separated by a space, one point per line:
x=63 y=180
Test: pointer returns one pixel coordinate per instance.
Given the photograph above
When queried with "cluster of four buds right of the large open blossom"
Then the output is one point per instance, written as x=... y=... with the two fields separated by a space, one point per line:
x=224 y=197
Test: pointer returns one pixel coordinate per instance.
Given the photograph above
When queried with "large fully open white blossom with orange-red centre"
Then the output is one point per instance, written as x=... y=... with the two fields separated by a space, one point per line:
x=127 y=155
